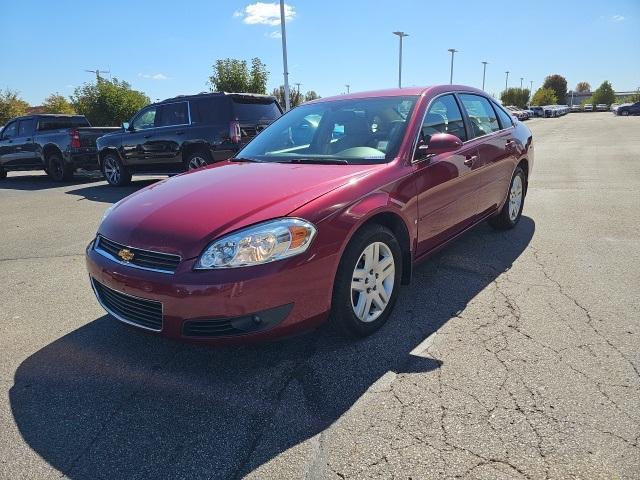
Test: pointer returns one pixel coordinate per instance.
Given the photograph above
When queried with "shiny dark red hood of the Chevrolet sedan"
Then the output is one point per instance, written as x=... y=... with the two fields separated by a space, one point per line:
x=181 y=215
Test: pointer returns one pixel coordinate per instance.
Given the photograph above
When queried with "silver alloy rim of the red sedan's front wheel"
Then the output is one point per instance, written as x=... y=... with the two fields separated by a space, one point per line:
x=372 y=282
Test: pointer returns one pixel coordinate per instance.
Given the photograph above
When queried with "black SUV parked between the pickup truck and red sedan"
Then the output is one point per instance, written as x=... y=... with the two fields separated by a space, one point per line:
x=183 y=133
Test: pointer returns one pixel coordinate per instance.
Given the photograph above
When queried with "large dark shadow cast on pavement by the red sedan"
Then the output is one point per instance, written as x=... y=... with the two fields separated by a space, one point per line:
x=105 y=401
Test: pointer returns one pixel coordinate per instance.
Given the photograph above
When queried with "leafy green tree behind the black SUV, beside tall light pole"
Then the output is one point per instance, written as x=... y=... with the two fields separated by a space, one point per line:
x=233 y=75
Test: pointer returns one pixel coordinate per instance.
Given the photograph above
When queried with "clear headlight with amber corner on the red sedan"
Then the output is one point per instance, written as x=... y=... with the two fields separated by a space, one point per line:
x=262 y=243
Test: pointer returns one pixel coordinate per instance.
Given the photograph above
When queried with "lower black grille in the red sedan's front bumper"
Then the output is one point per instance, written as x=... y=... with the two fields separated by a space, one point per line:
x=129 y=309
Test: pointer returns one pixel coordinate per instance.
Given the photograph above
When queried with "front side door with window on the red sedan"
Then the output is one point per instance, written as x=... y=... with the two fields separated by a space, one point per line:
x=445 y=183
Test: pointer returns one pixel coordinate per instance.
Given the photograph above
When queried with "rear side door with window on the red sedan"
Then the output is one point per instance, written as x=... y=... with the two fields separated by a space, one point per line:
x=493 y=144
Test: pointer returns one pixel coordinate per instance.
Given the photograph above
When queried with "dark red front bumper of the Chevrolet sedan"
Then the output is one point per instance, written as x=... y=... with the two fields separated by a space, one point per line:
x=221 y=306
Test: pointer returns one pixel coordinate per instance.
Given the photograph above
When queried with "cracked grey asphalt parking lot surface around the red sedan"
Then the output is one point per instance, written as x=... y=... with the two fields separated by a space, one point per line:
x=512 y=355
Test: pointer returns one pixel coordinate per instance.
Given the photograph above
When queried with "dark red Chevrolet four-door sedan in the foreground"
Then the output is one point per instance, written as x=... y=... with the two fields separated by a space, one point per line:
x=322 y=215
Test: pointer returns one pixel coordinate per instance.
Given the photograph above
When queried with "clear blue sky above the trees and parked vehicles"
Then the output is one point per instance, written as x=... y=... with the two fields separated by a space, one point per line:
x=166 y=49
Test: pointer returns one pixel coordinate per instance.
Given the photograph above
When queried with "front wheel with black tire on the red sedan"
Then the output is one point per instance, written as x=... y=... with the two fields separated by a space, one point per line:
x=348 y=300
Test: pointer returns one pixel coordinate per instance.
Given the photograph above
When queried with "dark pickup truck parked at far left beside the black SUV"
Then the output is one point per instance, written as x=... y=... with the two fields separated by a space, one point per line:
x=57 y=144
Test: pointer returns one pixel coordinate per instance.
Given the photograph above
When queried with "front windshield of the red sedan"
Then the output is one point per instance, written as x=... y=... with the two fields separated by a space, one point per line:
x=363 y=130
